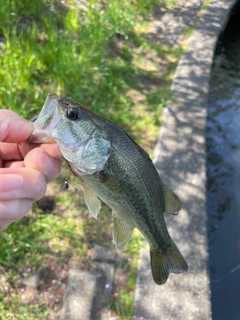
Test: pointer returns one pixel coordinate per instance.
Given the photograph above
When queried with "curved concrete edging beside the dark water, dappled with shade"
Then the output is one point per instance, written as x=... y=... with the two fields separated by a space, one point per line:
x=180 y=159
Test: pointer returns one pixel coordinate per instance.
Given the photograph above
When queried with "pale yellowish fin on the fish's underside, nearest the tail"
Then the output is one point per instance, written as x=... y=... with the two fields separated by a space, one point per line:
x=122 y=232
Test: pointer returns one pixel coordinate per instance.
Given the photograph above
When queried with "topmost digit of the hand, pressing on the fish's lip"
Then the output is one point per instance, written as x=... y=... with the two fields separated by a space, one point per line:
x=14 y=128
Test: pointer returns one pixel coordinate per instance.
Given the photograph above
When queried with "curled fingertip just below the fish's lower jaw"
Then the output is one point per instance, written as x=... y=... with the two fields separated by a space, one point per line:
x=40 y=160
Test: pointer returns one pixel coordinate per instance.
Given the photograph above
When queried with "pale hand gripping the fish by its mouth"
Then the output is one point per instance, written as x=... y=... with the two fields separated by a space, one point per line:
x=25 y=168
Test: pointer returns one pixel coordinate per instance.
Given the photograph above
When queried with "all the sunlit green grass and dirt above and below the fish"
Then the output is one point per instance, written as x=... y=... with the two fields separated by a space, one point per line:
x=102 y=54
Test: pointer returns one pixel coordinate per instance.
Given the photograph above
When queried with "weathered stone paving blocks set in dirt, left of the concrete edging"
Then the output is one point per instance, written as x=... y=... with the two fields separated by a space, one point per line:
x=88 y=293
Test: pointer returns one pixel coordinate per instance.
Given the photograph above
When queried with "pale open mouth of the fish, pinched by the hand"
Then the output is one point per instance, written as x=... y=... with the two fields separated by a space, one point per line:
x=46 y=121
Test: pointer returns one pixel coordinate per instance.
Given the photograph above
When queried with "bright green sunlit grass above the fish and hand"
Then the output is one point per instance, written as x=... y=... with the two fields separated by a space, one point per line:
x=51 y=49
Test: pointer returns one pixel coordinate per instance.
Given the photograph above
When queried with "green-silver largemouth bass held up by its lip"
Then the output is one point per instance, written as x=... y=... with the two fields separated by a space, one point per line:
x=115 y=170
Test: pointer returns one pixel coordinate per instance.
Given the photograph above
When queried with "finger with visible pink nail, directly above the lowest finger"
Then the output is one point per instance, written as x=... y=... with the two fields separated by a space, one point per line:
x=21 y=183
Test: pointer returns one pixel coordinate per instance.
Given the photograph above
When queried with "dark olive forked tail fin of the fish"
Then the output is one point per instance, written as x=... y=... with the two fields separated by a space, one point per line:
x=165 y=263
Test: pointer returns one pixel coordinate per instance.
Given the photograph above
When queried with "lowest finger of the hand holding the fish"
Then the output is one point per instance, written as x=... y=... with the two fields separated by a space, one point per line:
x=13 y=210
